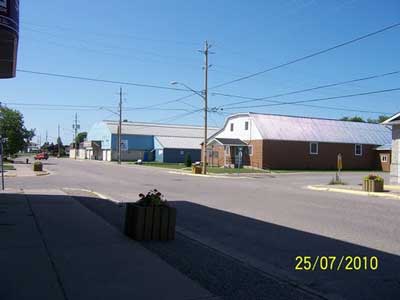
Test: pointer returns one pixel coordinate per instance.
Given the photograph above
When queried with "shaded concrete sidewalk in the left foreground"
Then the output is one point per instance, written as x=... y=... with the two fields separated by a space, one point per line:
x=53 y=248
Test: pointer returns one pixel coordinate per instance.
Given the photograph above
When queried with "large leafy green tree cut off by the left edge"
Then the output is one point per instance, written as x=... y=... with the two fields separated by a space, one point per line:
x=12 y=127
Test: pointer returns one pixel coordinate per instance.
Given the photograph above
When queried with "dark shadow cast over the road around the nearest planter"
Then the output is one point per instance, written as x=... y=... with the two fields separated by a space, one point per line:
x=269 y=249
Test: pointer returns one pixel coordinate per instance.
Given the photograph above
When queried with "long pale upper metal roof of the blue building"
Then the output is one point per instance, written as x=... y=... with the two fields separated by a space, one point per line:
x=154 y=129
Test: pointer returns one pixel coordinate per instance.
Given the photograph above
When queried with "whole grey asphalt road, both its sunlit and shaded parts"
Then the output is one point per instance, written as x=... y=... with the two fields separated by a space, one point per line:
x=264 y=221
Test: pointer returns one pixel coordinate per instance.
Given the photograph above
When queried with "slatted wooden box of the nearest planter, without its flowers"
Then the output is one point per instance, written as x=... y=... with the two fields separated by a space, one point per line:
x=150 y=223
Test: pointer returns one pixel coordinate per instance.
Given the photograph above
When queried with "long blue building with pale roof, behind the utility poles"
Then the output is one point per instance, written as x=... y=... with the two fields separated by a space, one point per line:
x=145 y=141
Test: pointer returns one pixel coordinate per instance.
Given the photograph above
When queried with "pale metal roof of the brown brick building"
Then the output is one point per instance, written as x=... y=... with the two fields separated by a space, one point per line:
x=290 y=128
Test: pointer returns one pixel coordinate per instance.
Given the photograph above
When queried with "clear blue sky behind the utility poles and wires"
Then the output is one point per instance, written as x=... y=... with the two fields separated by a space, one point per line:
x=156 y=42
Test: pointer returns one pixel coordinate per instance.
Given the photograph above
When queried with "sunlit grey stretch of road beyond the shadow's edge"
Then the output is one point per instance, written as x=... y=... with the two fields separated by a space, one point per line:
x=281 y=200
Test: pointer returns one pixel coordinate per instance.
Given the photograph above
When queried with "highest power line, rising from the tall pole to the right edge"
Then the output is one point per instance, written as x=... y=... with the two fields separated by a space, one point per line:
x=307 y=56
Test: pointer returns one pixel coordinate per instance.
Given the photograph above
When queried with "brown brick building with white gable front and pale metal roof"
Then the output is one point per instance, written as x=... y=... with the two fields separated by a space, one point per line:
x=286 y=142
